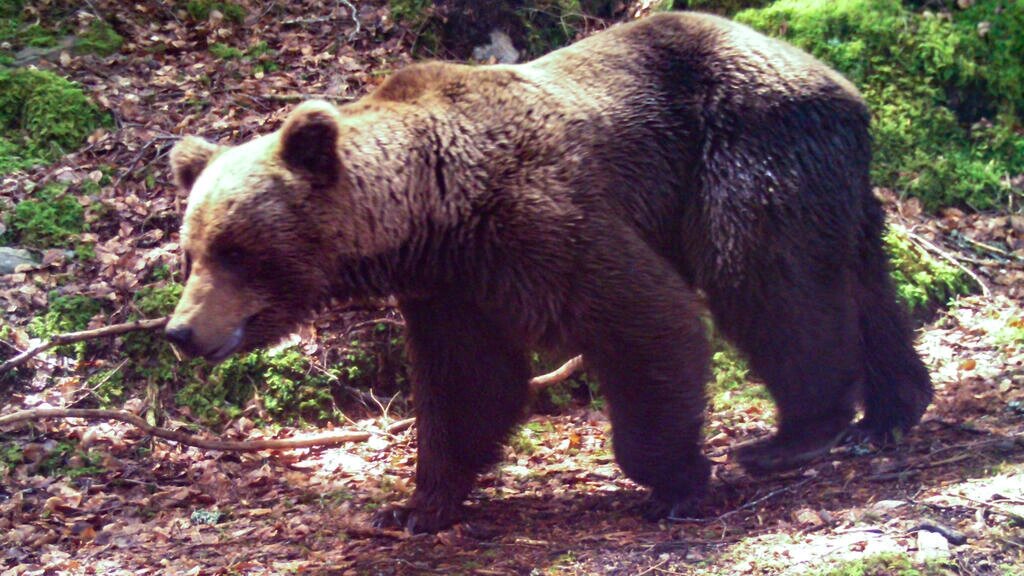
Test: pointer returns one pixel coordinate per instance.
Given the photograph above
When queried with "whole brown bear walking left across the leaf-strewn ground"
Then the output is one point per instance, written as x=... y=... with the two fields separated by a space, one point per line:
x=579 y=202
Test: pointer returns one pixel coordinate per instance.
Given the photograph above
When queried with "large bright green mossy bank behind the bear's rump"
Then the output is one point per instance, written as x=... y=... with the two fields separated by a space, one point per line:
x=947 y=90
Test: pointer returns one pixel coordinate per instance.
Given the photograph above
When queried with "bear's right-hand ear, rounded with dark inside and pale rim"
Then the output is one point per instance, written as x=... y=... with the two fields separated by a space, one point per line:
x=310 y=143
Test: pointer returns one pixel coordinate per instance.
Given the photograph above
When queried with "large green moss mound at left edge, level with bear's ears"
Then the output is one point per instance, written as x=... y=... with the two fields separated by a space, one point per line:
x=42 y=117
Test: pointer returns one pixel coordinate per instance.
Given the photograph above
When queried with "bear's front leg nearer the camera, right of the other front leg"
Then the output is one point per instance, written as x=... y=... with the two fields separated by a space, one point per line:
x=642 y=333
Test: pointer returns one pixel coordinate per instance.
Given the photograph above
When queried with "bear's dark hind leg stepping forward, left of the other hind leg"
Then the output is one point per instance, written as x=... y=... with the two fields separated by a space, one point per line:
x=802 y=340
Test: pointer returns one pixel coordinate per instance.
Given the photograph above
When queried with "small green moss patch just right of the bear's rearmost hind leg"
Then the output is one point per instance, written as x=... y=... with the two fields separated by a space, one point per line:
x=923 y=281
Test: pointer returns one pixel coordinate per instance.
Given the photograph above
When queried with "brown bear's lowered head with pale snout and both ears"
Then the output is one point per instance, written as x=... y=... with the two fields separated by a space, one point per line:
x=252 y=241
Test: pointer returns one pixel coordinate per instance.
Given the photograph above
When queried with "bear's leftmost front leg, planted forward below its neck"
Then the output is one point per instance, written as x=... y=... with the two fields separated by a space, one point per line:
x=470 y=389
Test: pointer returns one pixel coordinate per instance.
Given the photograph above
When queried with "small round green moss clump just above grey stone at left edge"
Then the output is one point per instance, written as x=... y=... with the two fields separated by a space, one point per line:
x=49 y=219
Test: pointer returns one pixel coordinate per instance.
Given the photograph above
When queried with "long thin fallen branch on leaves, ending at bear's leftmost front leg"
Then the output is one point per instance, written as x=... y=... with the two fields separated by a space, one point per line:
x=191 y=440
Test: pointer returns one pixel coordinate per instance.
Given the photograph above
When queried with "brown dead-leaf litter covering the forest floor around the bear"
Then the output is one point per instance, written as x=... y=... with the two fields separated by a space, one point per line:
x=948 y=500
